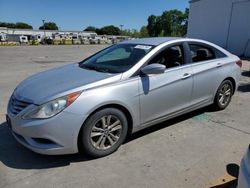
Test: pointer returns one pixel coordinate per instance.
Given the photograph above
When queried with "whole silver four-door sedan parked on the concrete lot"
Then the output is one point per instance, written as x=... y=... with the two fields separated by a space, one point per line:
x=91 y=106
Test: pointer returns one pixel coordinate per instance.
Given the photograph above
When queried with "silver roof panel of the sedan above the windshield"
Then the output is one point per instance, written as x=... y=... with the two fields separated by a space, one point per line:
x=154 y=41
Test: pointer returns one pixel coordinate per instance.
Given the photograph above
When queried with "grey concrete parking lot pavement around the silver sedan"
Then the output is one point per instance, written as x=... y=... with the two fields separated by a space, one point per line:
x=189 y=151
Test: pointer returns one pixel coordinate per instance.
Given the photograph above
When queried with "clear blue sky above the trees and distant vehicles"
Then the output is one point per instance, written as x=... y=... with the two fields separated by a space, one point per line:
x=78 y=14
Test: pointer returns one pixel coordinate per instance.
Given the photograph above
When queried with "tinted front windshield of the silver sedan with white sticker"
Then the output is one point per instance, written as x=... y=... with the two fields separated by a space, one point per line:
x=117 y=58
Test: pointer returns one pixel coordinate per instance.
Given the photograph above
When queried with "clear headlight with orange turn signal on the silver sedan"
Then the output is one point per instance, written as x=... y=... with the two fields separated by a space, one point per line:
x=52 y=108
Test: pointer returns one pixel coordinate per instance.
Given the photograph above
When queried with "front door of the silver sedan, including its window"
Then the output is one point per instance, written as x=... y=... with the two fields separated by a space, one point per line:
x=162 y=95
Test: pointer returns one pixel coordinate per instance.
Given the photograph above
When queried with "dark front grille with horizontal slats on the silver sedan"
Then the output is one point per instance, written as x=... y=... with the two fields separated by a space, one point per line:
x=16 y=105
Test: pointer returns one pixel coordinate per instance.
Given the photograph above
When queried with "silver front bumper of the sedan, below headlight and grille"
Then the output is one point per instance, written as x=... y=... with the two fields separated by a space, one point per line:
x=53 y=136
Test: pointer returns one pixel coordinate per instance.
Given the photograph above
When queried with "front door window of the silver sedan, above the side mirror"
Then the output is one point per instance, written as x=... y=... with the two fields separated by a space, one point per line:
x=170 y=57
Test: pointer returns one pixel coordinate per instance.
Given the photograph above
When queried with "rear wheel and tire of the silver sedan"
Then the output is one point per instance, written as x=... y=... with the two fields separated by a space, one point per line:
x=223 y=95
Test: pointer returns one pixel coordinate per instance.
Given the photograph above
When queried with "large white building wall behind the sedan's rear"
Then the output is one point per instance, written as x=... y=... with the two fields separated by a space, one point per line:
x=224 y=22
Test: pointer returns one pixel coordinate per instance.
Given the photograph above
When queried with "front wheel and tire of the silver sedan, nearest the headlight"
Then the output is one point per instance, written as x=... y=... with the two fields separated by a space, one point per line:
x=103 y=132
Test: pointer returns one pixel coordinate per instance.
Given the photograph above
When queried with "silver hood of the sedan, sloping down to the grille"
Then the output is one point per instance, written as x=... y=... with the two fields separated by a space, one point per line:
x=58 y=82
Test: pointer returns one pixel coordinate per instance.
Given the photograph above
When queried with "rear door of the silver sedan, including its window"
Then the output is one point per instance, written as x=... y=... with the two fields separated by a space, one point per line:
x=208 y=72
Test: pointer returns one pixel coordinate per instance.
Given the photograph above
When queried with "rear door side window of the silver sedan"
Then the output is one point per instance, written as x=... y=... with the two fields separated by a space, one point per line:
x=201 y=53
